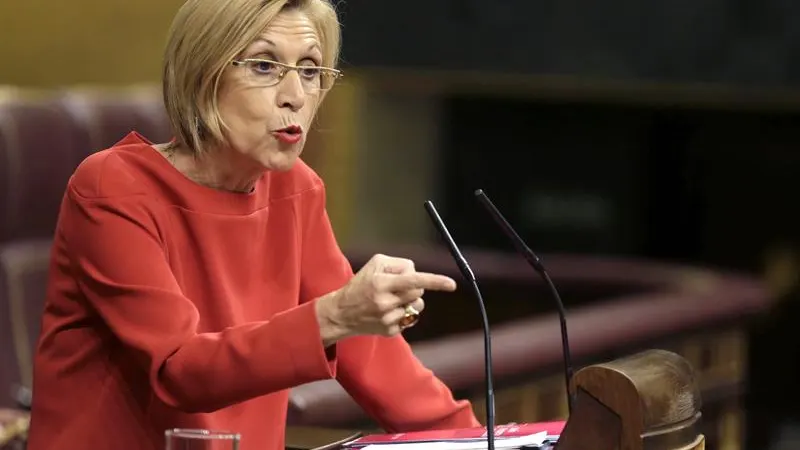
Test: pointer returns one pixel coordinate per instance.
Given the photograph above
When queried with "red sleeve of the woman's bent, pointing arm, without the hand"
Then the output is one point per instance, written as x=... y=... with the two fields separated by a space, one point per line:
x=120 y=265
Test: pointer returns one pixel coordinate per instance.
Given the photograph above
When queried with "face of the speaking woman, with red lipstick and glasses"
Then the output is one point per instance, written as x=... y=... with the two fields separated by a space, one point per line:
x=268 y=123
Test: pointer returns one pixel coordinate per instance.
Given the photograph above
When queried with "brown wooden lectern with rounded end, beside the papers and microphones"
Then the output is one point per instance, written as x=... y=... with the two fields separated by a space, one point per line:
x=647 y=401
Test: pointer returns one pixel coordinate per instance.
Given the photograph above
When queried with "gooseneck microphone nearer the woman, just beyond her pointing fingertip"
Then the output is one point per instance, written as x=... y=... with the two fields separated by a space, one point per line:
x=466 y=271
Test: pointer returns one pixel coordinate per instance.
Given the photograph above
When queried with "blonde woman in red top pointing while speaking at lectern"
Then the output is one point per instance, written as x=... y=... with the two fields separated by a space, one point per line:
x=193 y=283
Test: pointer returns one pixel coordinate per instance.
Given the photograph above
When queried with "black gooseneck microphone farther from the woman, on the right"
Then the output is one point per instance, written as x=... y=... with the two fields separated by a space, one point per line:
x=536 y=263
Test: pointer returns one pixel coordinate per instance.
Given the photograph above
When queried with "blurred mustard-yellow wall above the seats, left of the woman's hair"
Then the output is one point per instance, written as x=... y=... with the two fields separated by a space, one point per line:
x=97 y=41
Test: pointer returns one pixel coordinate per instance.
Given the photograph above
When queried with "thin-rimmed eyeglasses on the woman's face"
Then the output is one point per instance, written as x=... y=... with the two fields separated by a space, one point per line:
x=265 y=73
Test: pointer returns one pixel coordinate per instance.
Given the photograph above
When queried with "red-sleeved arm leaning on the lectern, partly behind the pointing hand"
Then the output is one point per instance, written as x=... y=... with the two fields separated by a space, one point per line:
x=380 y=373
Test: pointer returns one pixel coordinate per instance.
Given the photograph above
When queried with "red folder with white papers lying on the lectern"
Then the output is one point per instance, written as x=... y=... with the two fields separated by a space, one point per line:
x=460 y=434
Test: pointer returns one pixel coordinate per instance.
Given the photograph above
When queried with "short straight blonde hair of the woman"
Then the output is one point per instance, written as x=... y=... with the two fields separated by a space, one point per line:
x=206 y=35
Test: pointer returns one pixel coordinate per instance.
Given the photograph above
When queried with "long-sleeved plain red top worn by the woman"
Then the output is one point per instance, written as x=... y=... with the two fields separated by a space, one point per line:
x=171 y=304
